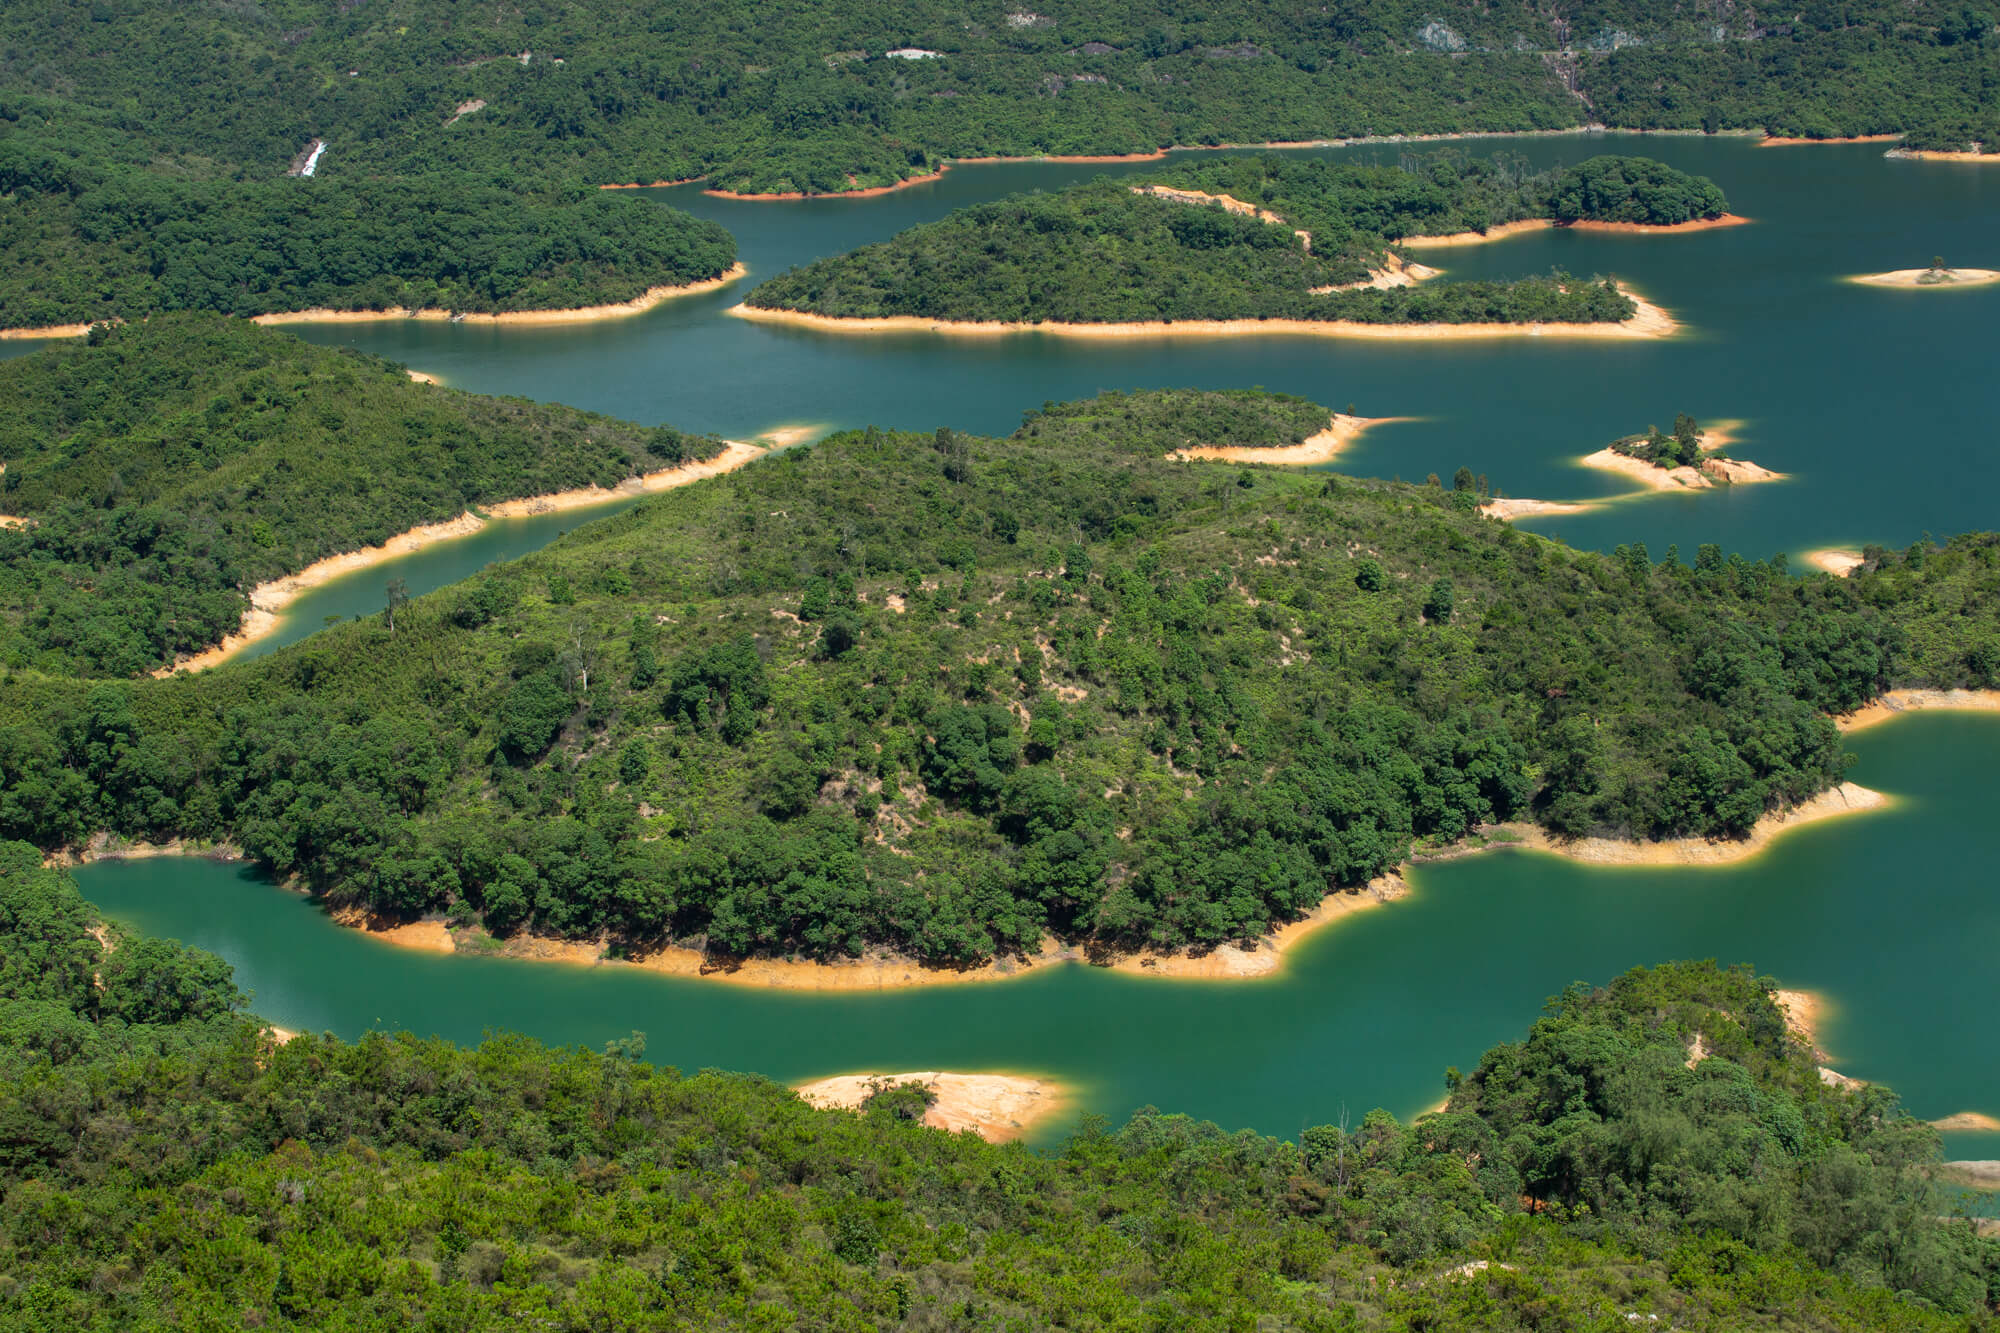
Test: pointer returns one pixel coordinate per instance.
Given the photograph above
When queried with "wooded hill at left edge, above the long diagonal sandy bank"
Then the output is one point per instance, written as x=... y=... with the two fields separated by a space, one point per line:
x=171 y=465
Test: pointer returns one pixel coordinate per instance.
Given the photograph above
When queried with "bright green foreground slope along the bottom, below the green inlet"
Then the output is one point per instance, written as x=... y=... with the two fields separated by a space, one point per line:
x=169 y=1168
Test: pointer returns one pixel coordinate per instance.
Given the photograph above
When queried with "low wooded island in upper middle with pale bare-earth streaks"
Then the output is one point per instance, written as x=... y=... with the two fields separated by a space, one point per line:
x=1245 y=239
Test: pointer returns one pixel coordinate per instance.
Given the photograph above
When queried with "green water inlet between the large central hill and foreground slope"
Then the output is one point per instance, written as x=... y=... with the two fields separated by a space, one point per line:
x=1891 y=916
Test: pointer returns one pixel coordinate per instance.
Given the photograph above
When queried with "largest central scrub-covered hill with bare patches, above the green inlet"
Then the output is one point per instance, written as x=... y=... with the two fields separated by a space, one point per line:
x=945 y=696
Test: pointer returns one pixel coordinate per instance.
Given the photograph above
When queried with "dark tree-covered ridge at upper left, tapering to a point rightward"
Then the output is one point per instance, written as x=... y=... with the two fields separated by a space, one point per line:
x=89 y=239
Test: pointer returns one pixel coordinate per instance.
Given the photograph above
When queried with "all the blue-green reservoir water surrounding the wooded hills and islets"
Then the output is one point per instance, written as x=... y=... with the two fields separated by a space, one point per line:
x=1881 y=405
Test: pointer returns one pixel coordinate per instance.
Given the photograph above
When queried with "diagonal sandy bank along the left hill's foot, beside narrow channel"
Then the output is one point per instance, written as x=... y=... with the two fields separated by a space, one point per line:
x=271 y=599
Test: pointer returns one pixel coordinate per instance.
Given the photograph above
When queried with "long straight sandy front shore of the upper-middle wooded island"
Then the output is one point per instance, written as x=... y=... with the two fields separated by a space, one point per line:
x=1647 y=321
